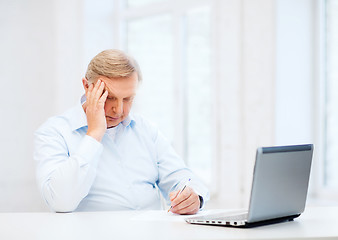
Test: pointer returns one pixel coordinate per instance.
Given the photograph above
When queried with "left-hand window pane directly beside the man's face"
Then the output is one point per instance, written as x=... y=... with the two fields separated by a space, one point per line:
x=150 y=41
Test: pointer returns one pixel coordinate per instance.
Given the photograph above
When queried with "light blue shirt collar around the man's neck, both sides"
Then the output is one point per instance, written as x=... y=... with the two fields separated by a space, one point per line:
x=78 y=118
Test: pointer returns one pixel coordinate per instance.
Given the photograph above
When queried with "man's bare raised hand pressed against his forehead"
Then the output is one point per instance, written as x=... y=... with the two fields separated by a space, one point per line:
x=96 y=118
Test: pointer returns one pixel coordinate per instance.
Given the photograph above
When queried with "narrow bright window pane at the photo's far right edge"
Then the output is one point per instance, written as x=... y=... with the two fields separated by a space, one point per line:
x=331 y=163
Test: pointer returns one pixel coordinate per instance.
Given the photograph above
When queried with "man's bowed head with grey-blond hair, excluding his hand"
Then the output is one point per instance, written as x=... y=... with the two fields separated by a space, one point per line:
x=121 y=75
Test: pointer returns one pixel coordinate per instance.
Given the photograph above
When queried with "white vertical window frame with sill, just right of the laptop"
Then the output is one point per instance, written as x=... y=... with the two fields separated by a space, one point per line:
x=320 y=192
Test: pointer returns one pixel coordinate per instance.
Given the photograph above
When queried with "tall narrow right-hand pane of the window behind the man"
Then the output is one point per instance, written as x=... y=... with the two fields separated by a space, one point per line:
x=199 y=100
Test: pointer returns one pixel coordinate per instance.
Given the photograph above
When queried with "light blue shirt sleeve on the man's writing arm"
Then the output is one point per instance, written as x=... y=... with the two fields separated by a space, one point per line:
x=173 y=173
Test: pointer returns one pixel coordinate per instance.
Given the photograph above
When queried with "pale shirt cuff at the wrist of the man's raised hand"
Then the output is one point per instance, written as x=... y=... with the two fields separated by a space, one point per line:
x=89 y=150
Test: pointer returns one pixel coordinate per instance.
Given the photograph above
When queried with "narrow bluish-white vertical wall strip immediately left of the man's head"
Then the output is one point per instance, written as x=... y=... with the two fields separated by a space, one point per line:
x=68 y=28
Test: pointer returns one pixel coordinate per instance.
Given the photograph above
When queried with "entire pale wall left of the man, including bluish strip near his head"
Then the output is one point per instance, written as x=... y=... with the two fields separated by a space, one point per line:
x=40 y=65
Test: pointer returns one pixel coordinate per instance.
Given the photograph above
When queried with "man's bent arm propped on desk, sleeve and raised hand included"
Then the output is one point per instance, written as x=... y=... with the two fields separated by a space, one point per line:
x=66 y=180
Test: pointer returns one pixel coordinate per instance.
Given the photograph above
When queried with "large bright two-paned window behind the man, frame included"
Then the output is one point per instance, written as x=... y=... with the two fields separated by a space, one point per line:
x=172 y=45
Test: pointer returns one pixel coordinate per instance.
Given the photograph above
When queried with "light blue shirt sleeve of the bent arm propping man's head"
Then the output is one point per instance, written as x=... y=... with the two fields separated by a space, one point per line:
x=64 y=179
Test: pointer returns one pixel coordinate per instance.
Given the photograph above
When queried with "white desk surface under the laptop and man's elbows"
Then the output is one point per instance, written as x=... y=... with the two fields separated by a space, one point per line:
x=314 y=223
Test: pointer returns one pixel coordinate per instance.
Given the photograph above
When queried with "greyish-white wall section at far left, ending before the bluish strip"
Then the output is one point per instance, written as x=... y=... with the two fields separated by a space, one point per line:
x=27 y=79
